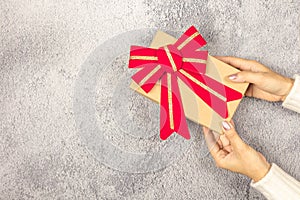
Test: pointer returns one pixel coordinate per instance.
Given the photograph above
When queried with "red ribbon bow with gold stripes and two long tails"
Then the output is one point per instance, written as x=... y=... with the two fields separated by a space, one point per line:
x=182 y=60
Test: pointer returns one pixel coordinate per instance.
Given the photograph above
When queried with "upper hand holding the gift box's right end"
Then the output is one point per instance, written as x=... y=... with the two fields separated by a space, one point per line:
x=264 y=83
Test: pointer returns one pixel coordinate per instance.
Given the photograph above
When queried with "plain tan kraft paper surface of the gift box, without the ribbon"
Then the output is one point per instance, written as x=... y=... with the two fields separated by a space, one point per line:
x=195 y=108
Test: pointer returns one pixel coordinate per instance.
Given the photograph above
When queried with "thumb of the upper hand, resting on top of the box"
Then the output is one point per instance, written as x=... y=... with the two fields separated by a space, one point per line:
x=247 y=76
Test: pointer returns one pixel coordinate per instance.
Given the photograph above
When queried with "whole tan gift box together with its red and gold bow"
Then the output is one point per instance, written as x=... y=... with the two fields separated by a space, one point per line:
x=186 y=81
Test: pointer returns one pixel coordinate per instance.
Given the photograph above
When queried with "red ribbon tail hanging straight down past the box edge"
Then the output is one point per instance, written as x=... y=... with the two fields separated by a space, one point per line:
x=172 y=117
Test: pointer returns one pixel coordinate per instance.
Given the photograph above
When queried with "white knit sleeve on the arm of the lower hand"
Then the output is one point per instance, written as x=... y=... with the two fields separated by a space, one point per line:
x=277 y=184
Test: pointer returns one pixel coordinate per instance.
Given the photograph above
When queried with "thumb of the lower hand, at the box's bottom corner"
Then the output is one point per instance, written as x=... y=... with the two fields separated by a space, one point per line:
x=232 y=135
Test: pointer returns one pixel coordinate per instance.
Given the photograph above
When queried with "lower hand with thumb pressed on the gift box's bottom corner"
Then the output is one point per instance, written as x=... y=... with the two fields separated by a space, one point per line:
x=230 y=152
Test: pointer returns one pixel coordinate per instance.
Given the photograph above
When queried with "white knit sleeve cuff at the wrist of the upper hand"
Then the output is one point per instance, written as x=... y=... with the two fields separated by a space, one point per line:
x=292 y=101
